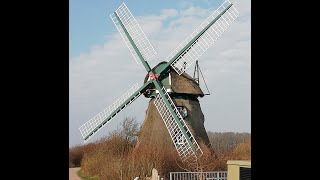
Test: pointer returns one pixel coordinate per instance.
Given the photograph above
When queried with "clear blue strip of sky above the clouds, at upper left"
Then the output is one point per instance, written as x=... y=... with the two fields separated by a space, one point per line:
x=89 y=21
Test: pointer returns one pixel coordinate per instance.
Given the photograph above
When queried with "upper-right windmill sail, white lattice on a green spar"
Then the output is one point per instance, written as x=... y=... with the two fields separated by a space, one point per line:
x=203 y=37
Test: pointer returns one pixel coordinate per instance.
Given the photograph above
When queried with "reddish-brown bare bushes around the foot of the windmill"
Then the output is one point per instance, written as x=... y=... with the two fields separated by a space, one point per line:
x=114 y=157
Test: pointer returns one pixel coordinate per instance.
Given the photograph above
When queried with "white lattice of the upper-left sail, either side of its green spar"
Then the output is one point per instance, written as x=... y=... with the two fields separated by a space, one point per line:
x=139 y=38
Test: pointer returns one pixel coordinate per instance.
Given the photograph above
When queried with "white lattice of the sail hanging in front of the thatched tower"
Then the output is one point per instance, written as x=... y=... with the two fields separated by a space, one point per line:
x=184 y=149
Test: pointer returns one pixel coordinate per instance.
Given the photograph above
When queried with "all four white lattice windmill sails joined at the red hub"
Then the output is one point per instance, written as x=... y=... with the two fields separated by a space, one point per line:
x=154 y=86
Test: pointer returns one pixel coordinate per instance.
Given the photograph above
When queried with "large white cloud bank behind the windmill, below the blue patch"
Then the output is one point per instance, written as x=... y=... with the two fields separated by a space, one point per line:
x=98 y=78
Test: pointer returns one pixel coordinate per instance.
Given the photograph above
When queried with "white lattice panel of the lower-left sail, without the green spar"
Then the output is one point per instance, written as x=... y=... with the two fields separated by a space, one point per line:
x=96 y=123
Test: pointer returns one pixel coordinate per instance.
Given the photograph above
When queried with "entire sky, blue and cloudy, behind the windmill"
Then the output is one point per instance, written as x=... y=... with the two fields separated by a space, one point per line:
x=102 y=69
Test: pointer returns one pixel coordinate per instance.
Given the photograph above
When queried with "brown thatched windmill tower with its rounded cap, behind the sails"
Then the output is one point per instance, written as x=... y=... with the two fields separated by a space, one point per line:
x=184 y=91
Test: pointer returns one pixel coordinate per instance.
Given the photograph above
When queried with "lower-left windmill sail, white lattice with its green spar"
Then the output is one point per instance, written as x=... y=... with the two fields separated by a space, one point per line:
x=91 y=127
